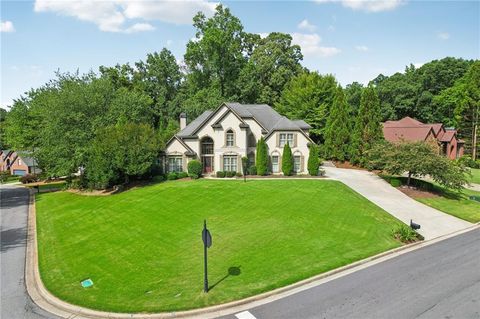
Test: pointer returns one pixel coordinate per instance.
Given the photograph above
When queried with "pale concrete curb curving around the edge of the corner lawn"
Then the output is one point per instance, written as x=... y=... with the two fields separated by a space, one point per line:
x=47 y=301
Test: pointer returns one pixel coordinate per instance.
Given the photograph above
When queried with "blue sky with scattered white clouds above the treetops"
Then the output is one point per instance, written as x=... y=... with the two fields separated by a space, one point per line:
x=353 y=39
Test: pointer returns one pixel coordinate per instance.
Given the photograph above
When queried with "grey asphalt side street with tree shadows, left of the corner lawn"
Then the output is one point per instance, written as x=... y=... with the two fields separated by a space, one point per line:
x=15 y=302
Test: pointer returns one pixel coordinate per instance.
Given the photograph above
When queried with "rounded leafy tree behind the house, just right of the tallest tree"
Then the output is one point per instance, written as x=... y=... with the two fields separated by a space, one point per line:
x=274 y=61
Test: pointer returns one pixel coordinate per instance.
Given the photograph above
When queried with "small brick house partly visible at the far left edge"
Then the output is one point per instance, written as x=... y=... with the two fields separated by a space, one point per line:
x=17 y=163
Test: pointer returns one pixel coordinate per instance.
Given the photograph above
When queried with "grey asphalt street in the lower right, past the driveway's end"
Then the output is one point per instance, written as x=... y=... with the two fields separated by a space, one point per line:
x=438 y=281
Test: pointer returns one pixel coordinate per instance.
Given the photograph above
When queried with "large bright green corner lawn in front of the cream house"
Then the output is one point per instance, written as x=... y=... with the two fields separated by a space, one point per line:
x=143 y=250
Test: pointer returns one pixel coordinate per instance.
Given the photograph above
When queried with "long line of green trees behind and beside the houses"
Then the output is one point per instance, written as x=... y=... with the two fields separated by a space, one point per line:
x=112 y=124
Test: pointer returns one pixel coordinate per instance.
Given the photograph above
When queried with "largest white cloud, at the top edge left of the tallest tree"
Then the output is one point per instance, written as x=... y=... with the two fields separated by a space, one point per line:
x=115 y=15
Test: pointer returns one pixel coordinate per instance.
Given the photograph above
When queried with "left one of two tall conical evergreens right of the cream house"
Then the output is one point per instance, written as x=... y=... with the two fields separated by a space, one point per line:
x=338 y=128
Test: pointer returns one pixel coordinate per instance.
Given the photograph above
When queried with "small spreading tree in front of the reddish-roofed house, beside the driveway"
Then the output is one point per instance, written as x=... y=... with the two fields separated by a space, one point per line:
x=418 y=159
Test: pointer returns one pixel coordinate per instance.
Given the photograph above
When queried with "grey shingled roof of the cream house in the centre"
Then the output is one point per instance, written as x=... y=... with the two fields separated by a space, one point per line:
x=263 y=114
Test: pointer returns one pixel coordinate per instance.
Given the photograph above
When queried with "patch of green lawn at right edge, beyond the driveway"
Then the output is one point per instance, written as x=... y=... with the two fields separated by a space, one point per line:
x=456 y=204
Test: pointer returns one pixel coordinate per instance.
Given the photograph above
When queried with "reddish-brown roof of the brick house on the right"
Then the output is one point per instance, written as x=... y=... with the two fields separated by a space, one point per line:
x=410 y=129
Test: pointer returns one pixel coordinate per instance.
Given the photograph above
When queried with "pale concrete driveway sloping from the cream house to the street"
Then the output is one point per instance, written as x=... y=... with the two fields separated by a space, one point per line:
x=434 y=223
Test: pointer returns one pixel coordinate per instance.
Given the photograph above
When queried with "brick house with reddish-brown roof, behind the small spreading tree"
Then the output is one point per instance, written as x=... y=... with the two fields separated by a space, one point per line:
x=409 y=129
